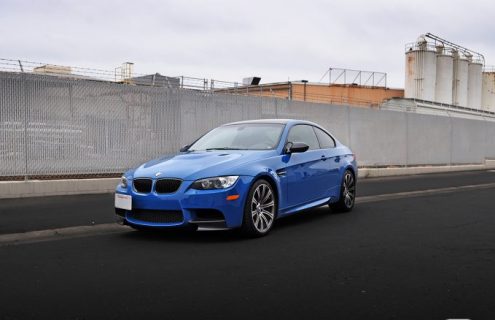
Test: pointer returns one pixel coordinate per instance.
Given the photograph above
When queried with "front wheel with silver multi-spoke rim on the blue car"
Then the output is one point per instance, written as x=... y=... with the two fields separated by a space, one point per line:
x=260 y=210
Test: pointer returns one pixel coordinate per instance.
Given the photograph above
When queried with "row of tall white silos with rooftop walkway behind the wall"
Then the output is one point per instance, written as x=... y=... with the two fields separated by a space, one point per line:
x=441 y=72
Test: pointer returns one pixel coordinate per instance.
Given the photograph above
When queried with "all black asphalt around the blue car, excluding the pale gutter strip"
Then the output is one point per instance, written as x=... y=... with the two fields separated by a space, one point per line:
x=422 y=257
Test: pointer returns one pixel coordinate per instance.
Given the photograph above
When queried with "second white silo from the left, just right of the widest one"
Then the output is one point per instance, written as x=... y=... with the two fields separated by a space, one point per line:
x=444 y=76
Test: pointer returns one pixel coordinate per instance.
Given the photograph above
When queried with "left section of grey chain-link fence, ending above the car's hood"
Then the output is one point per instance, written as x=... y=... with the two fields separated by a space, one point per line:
x=55 y=126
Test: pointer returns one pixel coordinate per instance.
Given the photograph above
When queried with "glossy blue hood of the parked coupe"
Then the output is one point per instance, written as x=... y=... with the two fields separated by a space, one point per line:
x=198 y=164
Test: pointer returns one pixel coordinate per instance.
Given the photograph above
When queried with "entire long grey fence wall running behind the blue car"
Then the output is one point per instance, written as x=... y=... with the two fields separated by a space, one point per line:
x=56 y=126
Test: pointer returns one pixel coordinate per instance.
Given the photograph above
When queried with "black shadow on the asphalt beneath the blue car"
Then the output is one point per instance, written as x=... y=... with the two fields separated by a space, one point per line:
x=301 y=219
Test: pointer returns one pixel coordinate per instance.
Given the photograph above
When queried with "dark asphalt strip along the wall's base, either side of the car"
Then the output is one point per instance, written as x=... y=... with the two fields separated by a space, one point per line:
x=66 y=211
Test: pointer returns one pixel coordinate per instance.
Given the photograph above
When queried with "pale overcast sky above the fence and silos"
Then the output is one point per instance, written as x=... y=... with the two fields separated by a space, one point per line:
x=229 y=40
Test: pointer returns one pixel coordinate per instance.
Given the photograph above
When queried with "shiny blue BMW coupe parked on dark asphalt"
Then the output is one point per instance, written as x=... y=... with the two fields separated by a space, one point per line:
x=241 y=175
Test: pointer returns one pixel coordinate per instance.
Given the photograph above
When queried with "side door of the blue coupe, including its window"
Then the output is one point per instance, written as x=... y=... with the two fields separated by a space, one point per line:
x=304 y=170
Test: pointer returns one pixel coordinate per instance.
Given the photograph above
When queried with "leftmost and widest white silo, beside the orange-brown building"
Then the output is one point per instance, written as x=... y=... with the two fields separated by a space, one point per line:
x=421 y=71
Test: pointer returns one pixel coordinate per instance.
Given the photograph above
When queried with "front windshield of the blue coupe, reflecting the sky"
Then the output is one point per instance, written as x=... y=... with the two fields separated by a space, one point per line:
x=245 y=136
